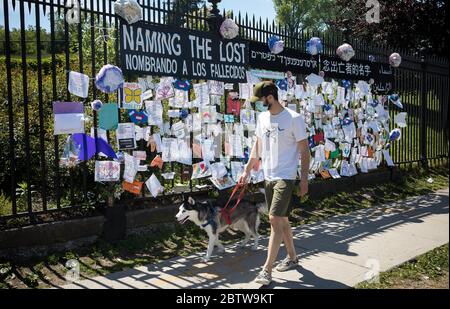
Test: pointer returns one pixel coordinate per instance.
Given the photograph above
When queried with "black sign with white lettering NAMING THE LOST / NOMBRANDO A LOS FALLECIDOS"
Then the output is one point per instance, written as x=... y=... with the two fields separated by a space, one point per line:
x=167 y=51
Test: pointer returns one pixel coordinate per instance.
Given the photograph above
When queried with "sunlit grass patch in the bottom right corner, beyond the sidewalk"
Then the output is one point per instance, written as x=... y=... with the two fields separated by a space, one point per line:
x=426 y=270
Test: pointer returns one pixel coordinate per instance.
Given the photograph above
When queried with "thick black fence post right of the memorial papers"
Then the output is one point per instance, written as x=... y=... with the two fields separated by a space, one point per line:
x=424 y=109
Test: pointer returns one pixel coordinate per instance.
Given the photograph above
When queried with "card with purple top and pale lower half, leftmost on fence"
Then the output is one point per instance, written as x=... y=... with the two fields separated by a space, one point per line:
x=69 y=118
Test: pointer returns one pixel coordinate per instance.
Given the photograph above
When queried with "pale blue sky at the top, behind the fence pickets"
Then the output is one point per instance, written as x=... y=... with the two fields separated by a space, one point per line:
x=260 y=8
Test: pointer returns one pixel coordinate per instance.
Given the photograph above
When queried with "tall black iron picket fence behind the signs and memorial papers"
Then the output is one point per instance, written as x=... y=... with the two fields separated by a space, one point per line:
x=34 y=66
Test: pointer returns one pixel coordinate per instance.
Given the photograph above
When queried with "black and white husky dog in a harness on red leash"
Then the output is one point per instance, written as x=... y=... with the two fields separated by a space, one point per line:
x=207 y=215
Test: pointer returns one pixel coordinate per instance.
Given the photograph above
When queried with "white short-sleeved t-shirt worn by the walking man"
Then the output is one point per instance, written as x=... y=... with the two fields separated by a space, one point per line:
x=279 y=135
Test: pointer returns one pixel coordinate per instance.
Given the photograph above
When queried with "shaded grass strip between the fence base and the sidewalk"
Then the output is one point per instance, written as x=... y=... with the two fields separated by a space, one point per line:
x=102 y=258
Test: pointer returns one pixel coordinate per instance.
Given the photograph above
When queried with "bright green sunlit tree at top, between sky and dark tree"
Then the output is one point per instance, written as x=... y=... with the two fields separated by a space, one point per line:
x=304 y=14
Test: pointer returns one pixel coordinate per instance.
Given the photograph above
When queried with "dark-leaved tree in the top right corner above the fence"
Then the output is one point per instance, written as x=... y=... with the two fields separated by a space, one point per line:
x=409 y=24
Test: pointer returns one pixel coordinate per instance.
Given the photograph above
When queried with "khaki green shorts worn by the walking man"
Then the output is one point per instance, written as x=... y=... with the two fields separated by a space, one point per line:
x=279 y=196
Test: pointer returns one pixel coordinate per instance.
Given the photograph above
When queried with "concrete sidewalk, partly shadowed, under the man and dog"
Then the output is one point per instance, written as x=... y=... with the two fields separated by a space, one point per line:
x=336 y=253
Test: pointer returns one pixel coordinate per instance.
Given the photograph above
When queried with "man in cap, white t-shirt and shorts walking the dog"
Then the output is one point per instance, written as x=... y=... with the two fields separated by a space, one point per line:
x=281 y=141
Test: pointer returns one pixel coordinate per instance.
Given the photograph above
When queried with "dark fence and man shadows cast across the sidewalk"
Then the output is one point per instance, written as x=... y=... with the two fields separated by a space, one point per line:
x=238 y=267
